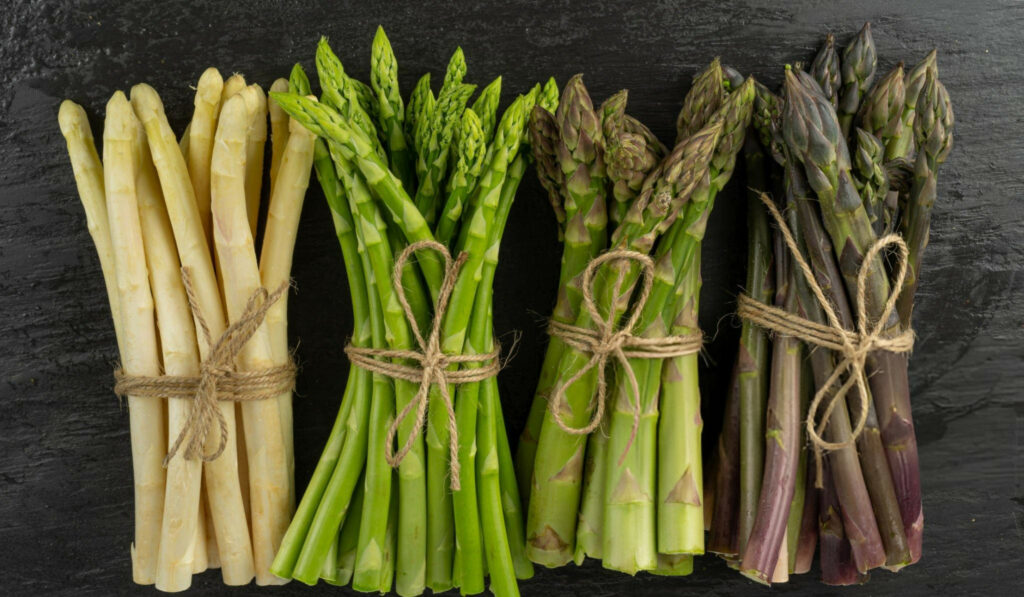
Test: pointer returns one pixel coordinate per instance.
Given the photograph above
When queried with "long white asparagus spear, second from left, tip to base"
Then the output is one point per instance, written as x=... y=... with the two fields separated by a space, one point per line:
x=141 y=346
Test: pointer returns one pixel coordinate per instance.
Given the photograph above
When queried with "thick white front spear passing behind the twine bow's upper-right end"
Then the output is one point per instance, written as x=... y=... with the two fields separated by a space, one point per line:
x=234 y=242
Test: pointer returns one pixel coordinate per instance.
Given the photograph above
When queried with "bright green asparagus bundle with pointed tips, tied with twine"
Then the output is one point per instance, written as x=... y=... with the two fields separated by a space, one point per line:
x=435 y=176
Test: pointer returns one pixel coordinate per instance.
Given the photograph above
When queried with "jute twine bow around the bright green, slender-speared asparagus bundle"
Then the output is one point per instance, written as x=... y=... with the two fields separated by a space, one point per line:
x=432 y=364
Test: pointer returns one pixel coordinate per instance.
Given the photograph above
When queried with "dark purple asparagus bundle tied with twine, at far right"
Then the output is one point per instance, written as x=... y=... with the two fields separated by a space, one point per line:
x=836 y=287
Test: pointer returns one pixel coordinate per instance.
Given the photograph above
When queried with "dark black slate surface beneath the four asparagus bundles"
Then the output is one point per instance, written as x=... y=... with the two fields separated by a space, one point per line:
x=65 y=463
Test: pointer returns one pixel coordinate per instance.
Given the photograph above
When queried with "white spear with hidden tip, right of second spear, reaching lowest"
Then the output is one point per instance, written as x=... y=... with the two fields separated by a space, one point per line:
x=181 y=357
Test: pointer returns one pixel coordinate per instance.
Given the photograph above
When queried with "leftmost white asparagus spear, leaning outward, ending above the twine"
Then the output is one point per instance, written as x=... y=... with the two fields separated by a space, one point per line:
x=90 y=180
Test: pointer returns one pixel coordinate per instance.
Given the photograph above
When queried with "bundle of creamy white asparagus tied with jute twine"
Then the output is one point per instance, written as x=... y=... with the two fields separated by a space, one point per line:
x=194 y=323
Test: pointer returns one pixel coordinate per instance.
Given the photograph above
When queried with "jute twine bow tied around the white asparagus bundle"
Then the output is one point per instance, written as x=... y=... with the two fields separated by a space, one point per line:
x=218 y=379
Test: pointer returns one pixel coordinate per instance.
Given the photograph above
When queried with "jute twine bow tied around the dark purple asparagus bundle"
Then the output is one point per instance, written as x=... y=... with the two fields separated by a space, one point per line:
x=852 y=347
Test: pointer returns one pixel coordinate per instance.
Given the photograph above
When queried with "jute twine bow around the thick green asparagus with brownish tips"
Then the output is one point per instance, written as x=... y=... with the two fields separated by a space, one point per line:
x=605 y=343
